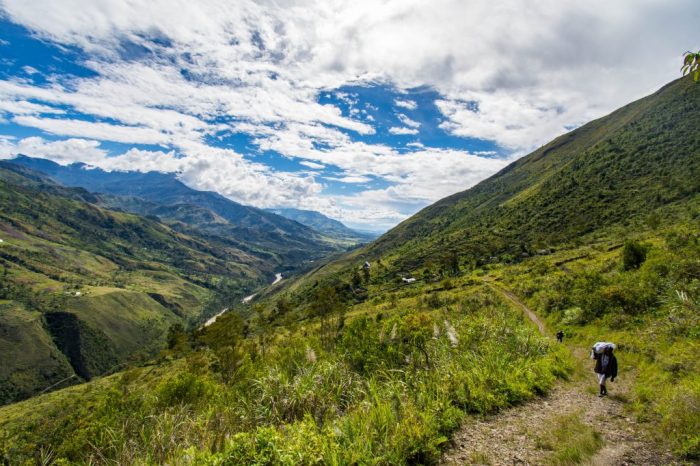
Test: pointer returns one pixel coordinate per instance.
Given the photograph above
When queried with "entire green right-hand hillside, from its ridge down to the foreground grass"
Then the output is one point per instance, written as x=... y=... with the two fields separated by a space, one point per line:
x=596 y=234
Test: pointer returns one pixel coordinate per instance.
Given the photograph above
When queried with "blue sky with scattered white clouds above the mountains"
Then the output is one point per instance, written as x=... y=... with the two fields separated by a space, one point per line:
x=366 y=111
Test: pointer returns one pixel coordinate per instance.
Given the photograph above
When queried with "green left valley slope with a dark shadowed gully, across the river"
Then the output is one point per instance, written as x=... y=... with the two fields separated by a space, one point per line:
x=84 y=288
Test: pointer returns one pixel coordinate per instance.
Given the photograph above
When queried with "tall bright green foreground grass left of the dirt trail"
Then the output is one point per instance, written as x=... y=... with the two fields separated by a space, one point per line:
x=302 y=401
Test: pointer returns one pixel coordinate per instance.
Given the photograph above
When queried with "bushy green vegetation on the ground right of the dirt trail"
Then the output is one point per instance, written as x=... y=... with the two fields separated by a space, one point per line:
x=652 y=311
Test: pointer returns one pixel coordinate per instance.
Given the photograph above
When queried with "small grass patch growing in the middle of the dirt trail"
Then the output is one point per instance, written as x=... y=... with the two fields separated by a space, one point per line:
x=570 y=440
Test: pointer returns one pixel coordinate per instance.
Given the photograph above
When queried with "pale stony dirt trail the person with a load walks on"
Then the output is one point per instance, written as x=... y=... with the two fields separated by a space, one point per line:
x=513 y=437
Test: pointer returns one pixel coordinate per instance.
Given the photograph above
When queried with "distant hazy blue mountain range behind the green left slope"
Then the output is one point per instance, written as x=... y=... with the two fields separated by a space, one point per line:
x=285 y=242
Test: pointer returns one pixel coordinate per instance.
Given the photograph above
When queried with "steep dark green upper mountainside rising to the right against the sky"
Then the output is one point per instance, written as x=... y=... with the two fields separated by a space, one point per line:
x=637 y=159
